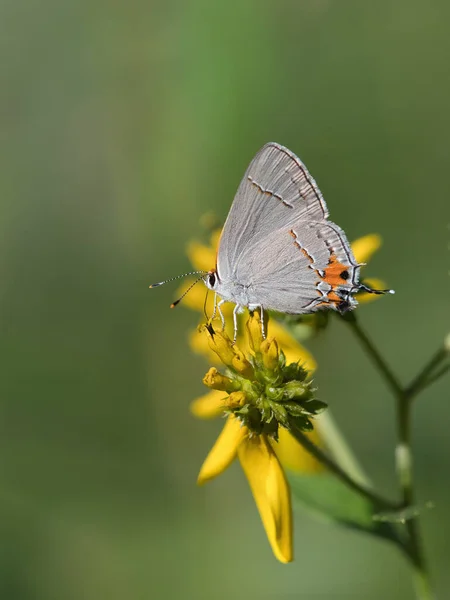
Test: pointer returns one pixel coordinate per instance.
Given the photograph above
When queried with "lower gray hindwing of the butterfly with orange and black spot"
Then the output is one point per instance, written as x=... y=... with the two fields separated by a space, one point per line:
x=300 y=269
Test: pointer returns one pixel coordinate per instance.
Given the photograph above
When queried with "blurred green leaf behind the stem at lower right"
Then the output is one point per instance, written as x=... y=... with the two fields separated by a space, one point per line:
x=328 y=497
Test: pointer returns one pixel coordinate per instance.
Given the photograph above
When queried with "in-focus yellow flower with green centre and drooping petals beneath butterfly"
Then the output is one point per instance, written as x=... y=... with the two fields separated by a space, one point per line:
x=266 y=397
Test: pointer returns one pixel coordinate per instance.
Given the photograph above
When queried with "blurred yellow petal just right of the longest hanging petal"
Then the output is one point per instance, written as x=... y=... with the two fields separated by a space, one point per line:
x=293 y=456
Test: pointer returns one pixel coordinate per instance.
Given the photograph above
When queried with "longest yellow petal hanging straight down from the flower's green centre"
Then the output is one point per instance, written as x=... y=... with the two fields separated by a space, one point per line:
x=271 y=493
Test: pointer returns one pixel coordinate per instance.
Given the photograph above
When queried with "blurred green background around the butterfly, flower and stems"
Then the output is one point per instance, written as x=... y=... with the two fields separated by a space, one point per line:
x=121 y=124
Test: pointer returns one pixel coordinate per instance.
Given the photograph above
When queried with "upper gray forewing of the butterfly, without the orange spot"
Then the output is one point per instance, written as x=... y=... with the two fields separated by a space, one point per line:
x=276 y=191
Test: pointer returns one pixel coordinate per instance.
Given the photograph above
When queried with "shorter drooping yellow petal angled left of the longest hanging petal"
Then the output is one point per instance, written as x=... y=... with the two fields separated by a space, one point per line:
x=224 y=450
